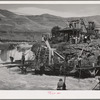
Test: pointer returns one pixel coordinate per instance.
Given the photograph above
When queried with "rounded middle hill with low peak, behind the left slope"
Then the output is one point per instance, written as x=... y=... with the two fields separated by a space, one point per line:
x=49 y=20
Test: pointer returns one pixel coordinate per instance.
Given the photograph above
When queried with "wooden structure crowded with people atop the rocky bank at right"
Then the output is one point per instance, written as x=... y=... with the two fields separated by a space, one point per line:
x=76 y=31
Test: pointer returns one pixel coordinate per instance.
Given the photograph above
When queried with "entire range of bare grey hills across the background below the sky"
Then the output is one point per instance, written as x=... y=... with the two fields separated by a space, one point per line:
x=34 y=24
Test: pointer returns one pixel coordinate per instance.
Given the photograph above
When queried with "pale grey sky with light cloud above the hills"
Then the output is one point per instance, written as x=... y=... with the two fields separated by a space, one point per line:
x=63 y=10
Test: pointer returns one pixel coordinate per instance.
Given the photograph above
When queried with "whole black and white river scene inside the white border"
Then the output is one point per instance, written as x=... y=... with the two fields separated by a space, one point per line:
x=50 y=47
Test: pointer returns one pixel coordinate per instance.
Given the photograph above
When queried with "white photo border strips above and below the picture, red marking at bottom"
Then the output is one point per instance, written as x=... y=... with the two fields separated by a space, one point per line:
x=49 y=94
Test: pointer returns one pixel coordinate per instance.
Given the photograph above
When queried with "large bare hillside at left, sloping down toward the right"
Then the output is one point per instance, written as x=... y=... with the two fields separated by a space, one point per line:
x=13 y=21
